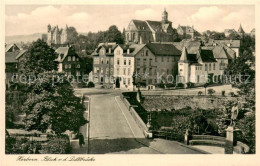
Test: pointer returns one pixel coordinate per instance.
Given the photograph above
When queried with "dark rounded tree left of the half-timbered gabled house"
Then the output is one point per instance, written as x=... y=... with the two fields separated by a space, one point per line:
x=39 y=58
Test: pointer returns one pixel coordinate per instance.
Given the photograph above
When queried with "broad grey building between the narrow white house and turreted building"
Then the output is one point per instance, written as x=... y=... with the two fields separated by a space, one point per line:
x=154 y=62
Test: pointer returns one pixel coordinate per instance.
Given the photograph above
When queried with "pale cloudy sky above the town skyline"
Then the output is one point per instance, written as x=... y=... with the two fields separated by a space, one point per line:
x=21 y=19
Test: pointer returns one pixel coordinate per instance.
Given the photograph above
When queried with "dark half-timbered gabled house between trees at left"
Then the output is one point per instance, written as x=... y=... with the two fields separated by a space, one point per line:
x=70 y=62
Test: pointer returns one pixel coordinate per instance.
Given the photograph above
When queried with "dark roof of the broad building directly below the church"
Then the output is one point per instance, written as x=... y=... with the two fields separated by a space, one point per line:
x=163 y=49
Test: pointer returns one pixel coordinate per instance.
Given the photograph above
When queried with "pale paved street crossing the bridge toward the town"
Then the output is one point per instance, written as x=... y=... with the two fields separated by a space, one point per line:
x=113 y=130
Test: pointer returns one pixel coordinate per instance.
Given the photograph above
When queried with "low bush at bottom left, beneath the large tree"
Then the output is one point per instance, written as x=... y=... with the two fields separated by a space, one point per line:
x=57 y=145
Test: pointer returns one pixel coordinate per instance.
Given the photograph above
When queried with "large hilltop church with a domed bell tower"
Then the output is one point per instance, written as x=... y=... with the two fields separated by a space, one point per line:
x=147 y=31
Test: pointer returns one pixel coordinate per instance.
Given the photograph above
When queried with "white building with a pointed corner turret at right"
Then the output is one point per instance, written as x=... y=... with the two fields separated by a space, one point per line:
x=205 y=64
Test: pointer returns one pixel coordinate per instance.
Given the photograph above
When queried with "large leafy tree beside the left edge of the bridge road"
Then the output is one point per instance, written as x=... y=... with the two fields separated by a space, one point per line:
x=52 y=105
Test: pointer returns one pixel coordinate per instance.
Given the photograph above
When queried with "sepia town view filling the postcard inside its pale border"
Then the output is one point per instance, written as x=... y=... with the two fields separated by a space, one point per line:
x=129 y=79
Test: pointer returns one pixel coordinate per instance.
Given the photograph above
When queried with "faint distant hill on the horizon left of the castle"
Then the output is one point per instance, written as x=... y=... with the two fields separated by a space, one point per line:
x=23 y=38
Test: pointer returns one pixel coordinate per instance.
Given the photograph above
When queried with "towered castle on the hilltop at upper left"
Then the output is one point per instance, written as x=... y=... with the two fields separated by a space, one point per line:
x=56 y=35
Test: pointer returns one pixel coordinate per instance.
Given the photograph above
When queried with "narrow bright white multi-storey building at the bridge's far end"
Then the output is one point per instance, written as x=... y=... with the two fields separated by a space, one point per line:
x=124 y=59
